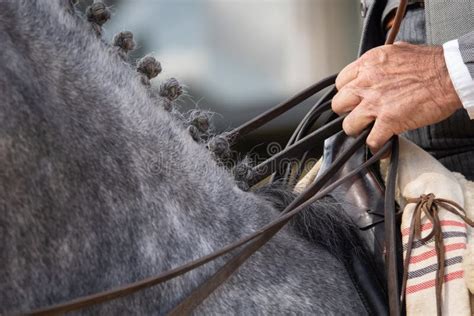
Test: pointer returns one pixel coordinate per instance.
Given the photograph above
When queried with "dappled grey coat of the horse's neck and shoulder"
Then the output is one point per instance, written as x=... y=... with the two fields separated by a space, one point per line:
x=99 y=187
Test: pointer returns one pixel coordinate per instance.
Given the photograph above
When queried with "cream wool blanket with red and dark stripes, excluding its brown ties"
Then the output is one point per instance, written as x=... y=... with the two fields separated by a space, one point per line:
x=419 y=173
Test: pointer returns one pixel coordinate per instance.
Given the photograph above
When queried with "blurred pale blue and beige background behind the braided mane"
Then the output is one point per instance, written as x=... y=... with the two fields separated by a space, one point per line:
x=241 y=57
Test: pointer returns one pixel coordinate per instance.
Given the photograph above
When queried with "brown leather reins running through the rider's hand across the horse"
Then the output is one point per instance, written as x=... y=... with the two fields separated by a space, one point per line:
x=255 y=241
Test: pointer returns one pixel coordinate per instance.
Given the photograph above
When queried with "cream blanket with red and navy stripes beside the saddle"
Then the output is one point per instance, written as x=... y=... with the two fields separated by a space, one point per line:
x=420 y=174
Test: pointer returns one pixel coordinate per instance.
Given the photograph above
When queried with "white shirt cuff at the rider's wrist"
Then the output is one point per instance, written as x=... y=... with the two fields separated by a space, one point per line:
x=460 y=76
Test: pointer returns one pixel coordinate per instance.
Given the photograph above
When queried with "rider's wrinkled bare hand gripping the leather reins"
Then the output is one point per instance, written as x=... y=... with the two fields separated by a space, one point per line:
x=401 y=87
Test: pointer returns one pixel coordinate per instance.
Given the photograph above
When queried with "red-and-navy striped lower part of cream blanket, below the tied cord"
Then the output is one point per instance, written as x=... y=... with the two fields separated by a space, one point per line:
x=420 y=290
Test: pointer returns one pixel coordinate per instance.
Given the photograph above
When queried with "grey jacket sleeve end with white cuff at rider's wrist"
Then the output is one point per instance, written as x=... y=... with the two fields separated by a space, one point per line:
x=459 y=57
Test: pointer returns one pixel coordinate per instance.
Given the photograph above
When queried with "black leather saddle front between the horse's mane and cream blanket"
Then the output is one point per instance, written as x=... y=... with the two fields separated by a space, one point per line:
x=363 y=201
